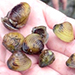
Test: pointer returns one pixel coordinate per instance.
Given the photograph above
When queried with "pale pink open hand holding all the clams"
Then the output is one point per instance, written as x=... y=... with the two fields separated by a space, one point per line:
x=41 y=14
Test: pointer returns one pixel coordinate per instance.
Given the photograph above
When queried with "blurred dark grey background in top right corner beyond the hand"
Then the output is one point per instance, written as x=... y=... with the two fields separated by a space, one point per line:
x=70 y=10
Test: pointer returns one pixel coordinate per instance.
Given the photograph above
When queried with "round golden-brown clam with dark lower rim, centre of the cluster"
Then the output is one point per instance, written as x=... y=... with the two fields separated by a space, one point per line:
x=33 y=44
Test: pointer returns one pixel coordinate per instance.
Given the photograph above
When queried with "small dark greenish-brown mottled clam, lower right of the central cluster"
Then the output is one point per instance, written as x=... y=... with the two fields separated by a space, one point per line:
x=46 y=58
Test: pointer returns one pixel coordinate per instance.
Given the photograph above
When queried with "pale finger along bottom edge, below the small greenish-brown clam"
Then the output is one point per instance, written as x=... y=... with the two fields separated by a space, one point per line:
x=36 y=70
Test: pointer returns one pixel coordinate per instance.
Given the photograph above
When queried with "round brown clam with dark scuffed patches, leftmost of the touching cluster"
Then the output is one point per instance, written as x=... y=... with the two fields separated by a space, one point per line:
x=13 y=41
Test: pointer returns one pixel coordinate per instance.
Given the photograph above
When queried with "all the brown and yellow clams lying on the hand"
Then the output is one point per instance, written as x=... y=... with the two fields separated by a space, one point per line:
x=33 y=43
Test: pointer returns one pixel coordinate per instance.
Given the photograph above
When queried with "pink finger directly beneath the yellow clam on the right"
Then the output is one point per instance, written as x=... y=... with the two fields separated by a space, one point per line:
x=56 y=44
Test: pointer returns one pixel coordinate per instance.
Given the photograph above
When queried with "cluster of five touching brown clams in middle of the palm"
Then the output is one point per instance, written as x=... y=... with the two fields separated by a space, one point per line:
x=31 y=44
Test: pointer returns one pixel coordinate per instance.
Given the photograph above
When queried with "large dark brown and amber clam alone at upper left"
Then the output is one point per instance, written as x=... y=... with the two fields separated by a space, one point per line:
x=17 y=17
